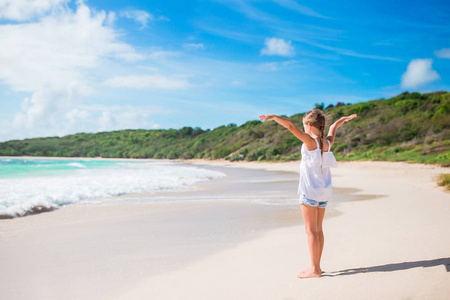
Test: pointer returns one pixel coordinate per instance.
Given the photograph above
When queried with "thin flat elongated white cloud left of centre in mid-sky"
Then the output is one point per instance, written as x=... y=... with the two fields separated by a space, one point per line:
x=146 y=82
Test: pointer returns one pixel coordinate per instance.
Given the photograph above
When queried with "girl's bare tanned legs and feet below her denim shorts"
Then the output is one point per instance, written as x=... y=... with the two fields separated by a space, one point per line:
x=314 y=232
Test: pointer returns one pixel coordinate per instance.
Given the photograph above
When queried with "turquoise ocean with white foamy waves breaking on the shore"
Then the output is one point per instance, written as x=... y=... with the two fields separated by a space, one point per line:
x=29 y=185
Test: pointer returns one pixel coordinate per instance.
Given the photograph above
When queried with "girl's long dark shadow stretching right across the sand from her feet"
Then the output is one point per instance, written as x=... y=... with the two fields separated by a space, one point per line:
x=393 y=267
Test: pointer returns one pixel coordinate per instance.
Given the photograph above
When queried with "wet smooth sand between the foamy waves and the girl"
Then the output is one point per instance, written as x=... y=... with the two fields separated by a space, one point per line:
x=94 y=249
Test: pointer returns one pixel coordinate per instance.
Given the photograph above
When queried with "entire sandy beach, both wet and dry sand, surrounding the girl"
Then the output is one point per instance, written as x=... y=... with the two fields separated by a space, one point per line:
x=389 y=241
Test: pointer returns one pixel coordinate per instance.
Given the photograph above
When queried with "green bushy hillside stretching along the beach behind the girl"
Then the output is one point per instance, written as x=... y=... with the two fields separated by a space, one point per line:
x=409 y=127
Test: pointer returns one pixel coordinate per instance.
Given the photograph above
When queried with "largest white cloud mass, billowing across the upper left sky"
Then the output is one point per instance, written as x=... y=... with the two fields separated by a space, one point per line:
x=52 y=58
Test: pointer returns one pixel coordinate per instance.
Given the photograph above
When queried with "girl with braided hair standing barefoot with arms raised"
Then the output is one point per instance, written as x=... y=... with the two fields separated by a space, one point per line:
x=315 y=177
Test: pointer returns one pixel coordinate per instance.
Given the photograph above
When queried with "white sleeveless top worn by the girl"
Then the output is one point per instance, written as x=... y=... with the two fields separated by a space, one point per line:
x=315 y=175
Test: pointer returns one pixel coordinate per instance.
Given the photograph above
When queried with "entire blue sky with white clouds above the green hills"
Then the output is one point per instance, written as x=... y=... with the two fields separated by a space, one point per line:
x=89 y=66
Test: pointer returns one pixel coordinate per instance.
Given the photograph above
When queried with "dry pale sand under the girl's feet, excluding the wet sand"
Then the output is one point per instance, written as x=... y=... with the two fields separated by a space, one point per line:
x=395 y=246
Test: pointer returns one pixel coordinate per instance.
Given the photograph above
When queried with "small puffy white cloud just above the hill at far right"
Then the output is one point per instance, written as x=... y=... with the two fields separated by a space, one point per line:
x=419 y=72
